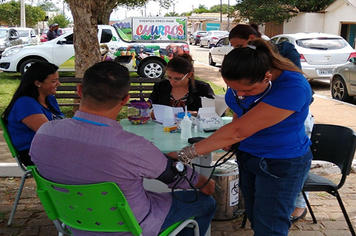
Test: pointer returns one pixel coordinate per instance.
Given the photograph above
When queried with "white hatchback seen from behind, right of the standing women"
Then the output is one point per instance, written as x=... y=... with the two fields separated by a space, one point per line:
x=319 y=53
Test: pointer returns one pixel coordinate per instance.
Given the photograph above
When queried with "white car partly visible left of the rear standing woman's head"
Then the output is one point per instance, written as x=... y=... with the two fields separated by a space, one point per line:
x=217 y=53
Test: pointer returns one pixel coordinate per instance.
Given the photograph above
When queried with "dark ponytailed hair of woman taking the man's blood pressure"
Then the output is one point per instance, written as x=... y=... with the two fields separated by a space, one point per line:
x=252 y=62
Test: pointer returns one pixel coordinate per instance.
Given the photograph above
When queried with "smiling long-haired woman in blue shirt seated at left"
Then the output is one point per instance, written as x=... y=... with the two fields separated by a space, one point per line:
x=32 y=105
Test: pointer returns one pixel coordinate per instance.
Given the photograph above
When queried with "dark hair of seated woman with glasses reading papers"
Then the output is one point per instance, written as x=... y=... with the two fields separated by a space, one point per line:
x=182 y=64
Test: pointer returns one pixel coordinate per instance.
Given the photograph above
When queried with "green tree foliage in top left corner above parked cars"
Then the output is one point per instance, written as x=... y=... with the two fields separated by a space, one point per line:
x=11 y=12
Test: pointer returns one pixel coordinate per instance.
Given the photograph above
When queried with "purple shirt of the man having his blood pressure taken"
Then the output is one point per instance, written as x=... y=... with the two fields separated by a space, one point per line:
x=71 y=151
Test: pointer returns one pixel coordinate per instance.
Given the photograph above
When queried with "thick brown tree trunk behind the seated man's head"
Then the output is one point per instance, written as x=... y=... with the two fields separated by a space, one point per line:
x=86 y=44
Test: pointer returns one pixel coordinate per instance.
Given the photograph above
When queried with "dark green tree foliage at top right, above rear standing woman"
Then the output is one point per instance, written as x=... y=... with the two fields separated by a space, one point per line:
x=278 y=11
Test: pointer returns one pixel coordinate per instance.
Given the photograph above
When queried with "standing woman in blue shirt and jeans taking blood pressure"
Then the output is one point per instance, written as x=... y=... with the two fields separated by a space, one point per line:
x=270 y=98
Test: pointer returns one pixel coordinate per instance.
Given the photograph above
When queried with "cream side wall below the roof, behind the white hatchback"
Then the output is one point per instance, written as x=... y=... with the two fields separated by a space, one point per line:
x=305 y=22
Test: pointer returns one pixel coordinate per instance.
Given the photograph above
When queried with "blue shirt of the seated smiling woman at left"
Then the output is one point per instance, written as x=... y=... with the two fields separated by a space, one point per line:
x=21 y=135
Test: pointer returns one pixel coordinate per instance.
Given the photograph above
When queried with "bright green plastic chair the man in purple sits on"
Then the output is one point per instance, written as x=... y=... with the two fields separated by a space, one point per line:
x=100 y=207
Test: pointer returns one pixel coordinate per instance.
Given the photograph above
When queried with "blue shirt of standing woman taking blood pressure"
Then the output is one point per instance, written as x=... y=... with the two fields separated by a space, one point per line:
x=287 y=139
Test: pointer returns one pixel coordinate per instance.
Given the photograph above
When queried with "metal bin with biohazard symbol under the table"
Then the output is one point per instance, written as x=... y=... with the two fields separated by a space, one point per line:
x=227 y=193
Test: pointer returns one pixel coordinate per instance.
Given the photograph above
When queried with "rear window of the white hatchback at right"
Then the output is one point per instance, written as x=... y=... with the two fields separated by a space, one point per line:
x=322 y=43
